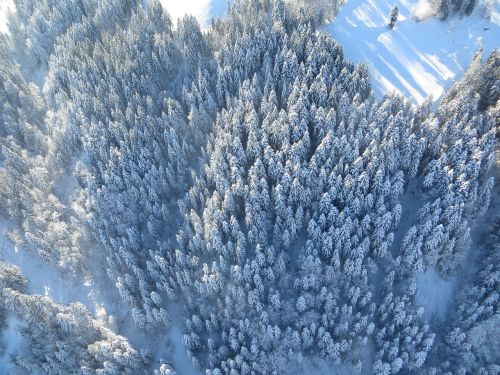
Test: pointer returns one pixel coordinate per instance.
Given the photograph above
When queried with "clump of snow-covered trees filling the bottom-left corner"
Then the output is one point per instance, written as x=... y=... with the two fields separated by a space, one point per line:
x=60 y=339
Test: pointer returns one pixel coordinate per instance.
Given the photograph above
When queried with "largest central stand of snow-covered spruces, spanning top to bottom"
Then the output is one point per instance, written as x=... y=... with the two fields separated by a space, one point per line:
x=300 y=188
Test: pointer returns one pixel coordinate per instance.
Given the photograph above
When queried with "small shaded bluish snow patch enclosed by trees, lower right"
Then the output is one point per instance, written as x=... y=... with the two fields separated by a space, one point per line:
x=434 y=293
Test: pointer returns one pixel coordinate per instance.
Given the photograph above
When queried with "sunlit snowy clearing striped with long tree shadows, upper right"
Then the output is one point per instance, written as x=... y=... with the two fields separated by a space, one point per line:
x=417 y=59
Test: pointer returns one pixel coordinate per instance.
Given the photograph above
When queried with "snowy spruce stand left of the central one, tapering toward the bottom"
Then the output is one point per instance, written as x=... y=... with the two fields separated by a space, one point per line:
x=138 y=136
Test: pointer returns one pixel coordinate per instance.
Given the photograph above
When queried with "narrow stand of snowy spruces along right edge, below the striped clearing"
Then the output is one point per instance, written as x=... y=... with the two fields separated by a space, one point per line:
x=456 y=171
